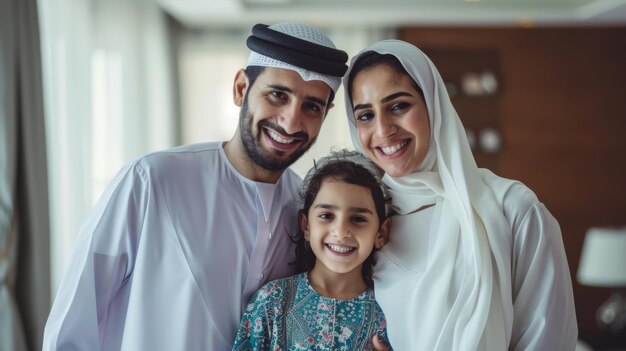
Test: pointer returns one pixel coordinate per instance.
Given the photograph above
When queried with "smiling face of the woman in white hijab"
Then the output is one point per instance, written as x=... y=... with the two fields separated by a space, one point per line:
x=391 y=119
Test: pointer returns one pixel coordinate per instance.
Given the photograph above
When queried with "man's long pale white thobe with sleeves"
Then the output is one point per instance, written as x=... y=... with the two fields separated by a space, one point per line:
x=171 y=254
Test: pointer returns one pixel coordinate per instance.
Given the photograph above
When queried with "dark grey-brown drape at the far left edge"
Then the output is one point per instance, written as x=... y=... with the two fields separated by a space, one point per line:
x=24 y=229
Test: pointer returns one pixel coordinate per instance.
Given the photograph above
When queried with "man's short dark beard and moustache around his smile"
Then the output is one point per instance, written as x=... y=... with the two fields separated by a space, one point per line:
x=252 y=143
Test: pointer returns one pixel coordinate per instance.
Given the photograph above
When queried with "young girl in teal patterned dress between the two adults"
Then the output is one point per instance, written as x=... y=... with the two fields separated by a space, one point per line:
x=330 y=306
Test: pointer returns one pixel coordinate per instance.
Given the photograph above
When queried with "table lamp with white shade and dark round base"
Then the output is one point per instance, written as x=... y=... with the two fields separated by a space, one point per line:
x=603 y=264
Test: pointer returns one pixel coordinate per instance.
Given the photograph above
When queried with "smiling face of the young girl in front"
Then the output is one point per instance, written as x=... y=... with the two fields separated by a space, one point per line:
x=342 y=227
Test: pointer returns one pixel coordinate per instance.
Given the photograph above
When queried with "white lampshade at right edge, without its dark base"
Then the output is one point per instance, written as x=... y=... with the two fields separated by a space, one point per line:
x=603 y=259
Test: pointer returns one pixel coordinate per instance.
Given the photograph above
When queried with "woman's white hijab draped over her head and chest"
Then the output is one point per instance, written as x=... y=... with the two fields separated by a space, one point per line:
x=469 y=217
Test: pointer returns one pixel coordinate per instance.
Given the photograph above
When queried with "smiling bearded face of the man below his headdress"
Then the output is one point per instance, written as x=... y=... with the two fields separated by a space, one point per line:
x=281 y=116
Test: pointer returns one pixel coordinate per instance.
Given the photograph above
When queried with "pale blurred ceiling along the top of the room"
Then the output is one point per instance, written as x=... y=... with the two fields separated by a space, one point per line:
x=393 y=13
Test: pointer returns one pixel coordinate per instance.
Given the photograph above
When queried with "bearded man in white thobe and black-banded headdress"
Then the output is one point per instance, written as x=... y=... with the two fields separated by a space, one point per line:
x=182 y=238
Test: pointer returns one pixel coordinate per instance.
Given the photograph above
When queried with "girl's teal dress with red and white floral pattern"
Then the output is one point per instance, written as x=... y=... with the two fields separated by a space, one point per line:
x=288 y=314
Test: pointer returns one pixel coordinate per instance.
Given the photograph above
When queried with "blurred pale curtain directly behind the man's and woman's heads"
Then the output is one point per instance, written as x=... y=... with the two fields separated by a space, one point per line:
x=208 y=61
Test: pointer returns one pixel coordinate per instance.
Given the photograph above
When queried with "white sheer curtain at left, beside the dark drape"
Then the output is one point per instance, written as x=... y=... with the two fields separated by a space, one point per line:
x=108 y=99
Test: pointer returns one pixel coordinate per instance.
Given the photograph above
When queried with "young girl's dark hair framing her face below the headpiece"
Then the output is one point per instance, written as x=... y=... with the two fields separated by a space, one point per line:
x=351 y=173
